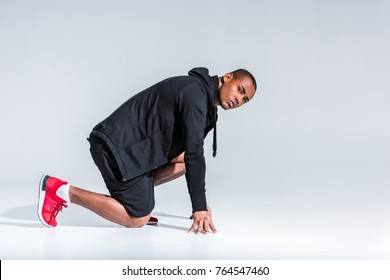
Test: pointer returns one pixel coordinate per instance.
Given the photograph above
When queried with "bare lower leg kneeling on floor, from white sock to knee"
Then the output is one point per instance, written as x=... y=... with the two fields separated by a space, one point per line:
x=106 y=207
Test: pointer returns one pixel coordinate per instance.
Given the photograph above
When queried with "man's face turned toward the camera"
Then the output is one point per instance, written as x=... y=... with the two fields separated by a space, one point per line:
x=234 y=93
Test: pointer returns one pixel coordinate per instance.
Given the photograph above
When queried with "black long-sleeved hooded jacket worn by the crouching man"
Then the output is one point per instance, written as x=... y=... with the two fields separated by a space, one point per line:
x=159 y=123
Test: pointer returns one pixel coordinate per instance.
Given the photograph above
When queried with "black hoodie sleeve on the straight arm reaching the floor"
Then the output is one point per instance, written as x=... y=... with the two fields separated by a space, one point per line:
x=193 y=110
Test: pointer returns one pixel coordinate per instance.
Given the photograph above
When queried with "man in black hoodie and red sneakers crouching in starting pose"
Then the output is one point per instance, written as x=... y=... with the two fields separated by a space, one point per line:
x=154 y=137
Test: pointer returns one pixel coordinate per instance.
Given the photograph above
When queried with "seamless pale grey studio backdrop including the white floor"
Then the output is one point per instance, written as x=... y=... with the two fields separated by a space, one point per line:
x=301 y=172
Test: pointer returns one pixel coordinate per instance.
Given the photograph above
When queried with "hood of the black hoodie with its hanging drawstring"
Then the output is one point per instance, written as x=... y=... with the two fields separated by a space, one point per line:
x=211 y=84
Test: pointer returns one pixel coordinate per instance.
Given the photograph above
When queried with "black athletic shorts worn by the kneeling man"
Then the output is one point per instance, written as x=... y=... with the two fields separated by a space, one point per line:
x=136 y=194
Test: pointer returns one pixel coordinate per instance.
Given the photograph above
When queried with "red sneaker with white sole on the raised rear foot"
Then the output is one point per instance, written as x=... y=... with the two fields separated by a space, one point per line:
x=50 y=204
